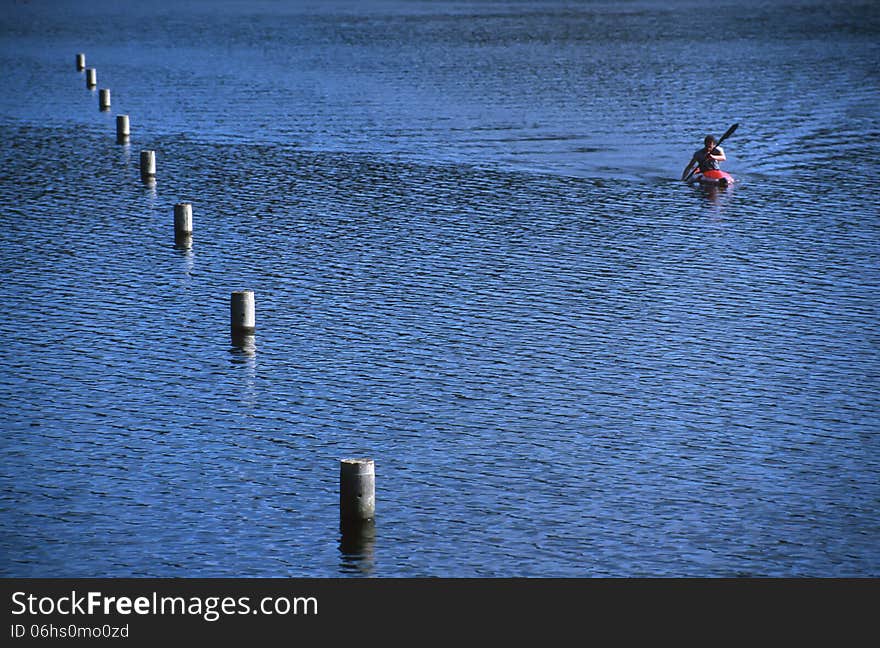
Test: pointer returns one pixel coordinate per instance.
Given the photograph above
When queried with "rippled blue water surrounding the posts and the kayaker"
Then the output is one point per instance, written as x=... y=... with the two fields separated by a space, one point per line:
x=473 y=262
